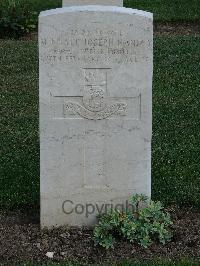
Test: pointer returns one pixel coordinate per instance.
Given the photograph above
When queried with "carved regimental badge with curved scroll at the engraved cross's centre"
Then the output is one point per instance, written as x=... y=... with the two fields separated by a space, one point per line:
x=95 y=101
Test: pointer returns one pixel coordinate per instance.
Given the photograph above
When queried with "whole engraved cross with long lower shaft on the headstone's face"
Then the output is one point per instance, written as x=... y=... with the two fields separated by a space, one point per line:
x=96 y=104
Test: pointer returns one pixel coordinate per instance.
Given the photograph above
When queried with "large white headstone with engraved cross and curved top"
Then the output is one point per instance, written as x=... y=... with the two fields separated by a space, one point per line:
x=96 y=65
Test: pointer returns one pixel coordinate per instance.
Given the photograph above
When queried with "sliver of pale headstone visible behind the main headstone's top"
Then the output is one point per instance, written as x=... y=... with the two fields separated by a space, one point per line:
x=92 y=2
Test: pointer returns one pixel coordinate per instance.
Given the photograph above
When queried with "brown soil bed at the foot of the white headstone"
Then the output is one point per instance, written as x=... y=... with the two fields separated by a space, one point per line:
x=22 y=240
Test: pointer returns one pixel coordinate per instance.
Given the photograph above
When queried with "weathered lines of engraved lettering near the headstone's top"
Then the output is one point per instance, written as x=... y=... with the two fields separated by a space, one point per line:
x=87 y=46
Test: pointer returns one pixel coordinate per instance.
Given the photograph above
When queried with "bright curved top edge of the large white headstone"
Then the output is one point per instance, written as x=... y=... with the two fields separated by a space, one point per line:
x=94 y=8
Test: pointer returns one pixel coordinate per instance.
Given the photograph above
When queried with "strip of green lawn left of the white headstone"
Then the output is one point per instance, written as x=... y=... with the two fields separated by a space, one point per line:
x=19 y=138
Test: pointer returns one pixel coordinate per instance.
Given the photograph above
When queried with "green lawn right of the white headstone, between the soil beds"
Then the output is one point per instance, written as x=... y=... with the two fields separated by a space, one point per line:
x=176 y=121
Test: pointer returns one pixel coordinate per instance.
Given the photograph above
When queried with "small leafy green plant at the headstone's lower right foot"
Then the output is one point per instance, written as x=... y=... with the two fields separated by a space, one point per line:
x=141 y=225
